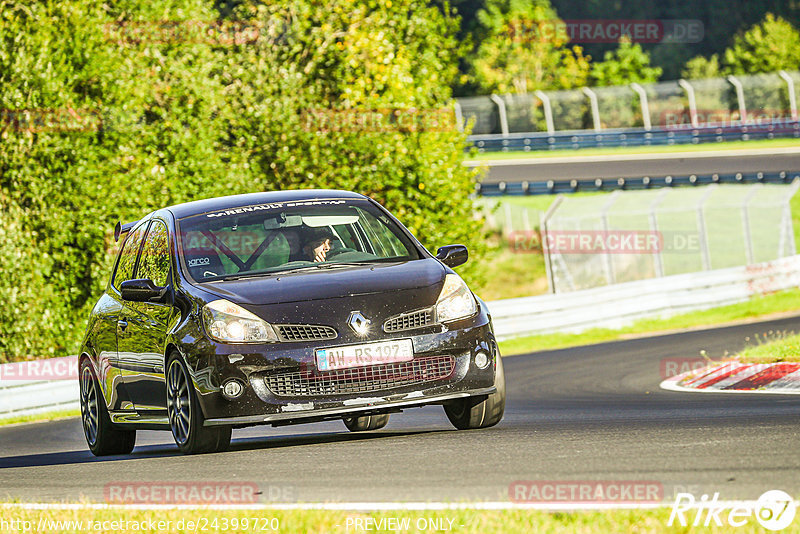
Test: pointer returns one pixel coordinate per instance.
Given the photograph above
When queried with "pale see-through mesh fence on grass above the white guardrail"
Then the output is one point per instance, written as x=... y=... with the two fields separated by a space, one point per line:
x=605 y=239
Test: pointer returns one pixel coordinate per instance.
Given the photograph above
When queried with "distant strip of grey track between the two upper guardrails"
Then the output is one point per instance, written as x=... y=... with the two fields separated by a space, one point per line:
x=637 y=166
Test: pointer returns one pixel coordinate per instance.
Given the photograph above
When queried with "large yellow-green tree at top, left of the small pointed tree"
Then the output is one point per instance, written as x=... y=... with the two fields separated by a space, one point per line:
x=523 y=47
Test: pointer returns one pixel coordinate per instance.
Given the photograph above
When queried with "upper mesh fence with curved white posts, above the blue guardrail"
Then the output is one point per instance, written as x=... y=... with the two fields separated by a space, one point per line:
x=754 y=99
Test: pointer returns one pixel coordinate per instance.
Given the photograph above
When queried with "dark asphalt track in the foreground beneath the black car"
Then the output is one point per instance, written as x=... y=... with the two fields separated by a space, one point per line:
x=590 y=413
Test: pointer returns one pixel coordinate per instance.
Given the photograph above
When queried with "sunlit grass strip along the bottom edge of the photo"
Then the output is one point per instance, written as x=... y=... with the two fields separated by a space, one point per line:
x=456 y=521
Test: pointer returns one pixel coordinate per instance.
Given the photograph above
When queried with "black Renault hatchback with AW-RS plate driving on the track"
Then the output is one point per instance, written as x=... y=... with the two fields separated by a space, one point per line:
x=281 y=308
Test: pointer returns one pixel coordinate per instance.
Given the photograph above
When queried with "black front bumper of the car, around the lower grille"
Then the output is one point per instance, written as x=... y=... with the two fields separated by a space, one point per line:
x=261 y=405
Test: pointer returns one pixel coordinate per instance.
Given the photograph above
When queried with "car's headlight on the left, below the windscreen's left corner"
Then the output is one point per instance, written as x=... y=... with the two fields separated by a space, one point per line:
x=230 y=323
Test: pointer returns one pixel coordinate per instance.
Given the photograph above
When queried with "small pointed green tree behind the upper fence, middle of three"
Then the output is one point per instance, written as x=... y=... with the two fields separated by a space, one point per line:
x=627 y=64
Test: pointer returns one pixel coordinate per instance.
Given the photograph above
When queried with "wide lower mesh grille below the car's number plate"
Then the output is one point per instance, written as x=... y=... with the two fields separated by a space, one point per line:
x=361 y=379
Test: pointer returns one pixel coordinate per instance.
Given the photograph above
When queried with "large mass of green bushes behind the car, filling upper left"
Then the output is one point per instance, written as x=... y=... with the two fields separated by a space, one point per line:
x=110 y=110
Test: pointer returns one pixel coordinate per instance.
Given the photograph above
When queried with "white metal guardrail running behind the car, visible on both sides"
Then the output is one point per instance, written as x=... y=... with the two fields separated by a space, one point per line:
x=609 y=306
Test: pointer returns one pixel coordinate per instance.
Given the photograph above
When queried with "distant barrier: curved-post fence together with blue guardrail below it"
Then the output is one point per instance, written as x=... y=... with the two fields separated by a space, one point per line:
x=741 y=107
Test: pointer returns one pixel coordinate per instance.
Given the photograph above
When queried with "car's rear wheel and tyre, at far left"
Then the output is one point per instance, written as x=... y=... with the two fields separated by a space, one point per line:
x=101 y=435
